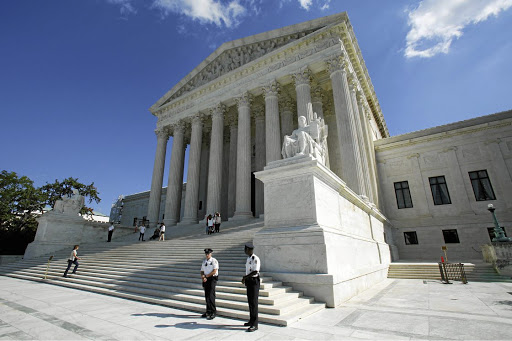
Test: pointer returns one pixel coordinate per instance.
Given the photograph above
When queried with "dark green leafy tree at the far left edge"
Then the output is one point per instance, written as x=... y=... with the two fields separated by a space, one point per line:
x=21 y=203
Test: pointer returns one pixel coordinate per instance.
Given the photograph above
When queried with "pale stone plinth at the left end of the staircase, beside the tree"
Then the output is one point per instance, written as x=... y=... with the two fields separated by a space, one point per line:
x=57 y=231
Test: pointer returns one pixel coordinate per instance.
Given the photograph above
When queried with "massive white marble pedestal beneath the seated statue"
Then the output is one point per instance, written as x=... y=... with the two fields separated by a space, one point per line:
x=319 y=236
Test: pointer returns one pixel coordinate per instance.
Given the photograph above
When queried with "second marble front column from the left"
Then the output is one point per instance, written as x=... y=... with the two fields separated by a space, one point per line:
x=173 y=196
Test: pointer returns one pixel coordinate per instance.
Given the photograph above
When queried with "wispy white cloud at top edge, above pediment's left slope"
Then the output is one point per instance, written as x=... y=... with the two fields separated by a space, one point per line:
x=205 y=11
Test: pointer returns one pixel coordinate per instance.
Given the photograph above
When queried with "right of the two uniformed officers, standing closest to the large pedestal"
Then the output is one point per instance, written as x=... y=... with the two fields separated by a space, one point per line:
x=252 y=282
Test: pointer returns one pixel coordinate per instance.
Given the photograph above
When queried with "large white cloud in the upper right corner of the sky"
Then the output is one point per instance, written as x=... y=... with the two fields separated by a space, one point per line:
x=435 y=23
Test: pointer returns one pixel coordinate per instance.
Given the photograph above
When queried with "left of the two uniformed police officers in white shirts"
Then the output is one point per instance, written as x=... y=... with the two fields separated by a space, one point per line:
x=209 y=276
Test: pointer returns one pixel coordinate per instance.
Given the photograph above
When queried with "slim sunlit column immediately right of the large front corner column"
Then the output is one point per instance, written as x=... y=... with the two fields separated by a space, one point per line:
x=360 y=139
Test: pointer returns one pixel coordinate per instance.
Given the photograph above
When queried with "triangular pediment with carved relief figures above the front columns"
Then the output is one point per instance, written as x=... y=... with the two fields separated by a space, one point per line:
x=237 y=53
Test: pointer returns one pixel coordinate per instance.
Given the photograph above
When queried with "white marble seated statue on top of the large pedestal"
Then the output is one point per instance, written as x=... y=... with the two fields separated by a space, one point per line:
x=307 y=139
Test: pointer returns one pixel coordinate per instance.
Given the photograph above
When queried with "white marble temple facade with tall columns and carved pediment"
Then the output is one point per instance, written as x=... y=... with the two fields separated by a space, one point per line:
x=234 y=109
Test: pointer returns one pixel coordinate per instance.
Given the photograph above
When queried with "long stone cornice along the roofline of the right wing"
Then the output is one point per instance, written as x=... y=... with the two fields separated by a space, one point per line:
x=467 y=127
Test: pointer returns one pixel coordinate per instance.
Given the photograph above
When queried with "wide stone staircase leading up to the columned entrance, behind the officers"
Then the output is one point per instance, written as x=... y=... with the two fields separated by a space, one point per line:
x=168 y=273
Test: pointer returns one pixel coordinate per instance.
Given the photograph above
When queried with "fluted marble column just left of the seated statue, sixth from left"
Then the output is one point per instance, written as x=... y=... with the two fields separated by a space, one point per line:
x=272 y=130
